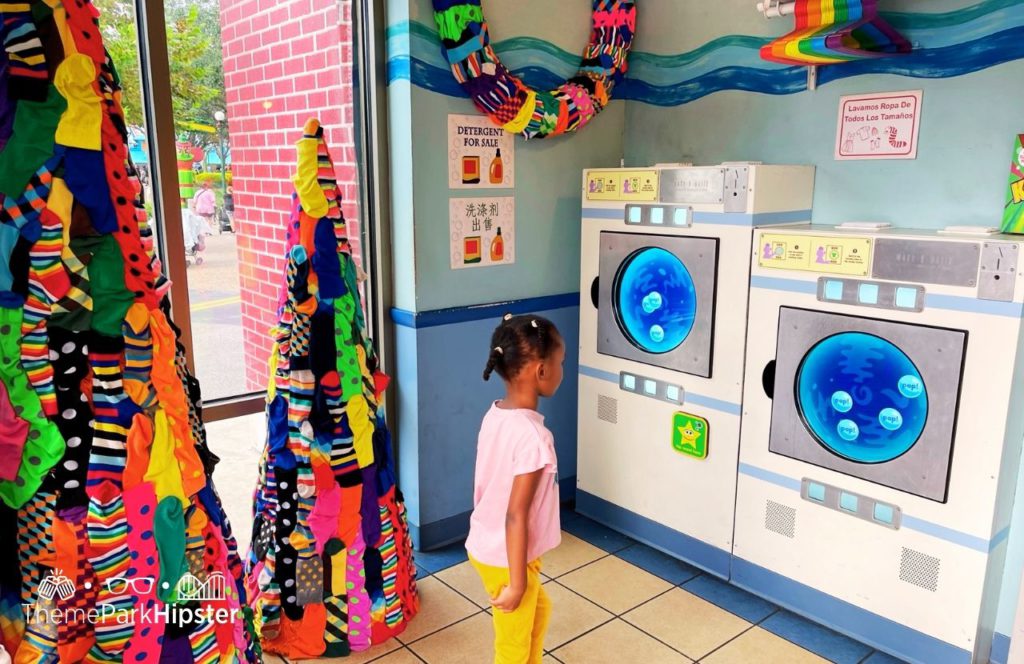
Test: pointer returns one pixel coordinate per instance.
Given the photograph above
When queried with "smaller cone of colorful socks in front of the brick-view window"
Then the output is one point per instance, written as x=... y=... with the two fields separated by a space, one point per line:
x=331 y=563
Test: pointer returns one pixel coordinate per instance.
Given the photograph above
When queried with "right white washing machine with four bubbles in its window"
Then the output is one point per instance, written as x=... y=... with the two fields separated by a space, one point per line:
x=882 y=432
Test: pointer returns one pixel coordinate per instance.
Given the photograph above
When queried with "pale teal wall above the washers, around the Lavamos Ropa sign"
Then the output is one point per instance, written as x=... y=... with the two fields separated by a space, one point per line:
x=967 y=133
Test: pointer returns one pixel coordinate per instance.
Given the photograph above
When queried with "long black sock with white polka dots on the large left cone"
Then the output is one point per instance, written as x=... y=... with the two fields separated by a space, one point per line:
x=69 y=356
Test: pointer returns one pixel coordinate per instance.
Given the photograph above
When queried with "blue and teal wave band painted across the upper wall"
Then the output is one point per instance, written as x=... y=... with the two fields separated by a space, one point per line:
x=948 y=45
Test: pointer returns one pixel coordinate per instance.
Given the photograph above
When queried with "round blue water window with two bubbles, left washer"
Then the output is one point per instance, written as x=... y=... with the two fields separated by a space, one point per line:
x=656 y=301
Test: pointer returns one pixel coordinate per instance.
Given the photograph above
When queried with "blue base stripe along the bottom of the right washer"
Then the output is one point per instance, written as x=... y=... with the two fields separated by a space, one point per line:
x=844 y=617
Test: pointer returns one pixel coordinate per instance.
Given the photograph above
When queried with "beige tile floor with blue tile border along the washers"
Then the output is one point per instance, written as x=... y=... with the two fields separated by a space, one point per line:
x=615 y=601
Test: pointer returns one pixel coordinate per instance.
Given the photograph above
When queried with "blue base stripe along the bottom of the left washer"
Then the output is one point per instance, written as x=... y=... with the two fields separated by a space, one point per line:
x=656 y=535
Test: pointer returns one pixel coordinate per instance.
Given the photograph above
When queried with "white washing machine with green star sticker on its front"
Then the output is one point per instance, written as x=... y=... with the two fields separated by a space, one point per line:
x=664 y=282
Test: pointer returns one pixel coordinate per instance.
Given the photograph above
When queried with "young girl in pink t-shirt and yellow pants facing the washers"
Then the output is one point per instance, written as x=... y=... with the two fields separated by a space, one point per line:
x=516 y=516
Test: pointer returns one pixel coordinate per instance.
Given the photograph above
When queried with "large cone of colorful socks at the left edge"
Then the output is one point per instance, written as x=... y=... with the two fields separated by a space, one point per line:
x=106 y=478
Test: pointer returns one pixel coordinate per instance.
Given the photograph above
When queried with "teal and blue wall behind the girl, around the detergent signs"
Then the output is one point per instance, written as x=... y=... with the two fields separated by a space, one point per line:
x=442 y=350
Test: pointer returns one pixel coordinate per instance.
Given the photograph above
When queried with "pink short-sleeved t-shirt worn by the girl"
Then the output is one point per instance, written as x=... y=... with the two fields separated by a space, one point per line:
x=514 y=443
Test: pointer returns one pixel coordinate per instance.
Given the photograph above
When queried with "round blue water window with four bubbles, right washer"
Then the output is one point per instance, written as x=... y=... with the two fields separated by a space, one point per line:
x=863 y=398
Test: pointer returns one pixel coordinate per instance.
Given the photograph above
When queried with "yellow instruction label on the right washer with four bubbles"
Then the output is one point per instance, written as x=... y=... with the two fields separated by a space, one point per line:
x=831 y=256
